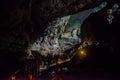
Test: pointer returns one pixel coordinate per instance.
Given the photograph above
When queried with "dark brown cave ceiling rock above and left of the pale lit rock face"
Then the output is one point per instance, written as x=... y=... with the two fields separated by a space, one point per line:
x=23 y=21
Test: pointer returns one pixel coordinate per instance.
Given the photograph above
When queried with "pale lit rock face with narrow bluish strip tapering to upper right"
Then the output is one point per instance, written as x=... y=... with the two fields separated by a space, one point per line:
x=64 y=33
